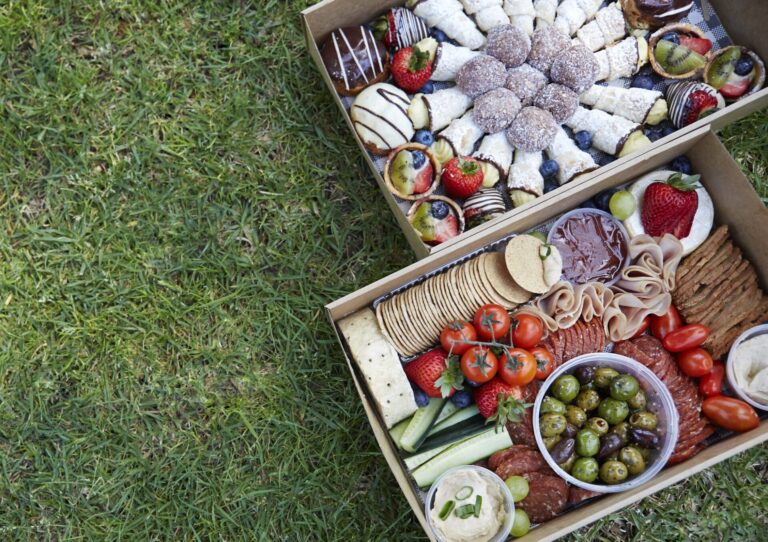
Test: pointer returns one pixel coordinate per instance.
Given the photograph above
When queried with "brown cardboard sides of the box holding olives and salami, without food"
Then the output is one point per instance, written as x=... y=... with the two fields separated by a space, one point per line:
x=736 y=204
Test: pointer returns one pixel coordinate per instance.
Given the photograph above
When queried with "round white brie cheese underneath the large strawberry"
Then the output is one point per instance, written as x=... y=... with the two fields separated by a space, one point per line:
x=702 y=220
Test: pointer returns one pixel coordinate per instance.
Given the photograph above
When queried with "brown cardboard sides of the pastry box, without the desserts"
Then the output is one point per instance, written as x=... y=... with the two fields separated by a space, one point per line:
x=745 y=24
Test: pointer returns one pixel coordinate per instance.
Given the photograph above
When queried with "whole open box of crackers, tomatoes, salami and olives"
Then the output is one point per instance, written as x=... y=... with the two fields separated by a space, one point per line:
x=569 y=361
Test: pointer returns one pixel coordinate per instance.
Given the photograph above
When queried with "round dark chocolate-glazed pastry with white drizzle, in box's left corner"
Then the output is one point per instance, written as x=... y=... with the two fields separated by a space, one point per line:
x=354 y=59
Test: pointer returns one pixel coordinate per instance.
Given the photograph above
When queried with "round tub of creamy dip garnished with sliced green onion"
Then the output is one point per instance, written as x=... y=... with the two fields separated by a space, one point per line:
x=470 y=529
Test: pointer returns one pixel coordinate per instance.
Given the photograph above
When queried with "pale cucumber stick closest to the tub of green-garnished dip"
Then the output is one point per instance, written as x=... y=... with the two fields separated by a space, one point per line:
x=463 y=453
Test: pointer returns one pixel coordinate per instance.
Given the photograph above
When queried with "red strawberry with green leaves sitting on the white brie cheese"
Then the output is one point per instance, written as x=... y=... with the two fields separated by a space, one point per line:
x=669 y=207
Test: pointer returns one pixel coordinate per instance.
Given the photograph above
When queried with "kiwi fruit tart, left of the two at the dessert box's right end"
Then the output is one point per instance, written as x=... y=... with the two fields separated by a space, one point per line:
x=679 y=51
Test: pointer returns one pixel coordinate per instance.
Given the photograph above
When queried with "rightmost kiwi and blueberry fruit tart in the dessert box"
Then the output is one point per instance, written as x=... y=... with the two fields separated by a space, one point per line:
x=735 y=71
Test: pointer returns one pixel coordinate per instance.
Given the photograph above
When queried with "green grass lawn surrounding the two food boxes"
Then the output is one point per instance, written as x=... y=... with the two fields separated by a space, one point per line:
x=180 y=197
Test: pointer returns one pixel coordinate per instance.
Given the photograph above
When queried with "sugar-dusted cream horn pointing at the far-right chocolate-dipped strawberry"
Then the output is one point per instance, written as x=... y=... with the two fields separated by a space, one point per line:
x=636 y=104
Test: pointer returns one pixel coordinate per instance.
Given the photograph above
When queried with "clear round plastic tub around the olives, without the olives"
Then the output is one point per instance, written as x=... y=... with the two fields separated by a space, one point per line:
x=659 y=402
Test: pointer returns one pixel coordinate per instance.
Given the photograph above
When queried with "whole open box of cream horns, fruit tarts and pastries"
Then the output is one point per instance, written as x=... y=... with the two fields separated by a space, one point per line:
x=469 y=112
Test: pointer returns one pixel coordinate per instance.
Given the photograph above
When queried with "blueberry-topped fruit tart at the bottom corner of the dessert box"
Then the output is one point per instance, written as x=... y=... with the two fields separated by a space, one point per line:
x=436 y=219
